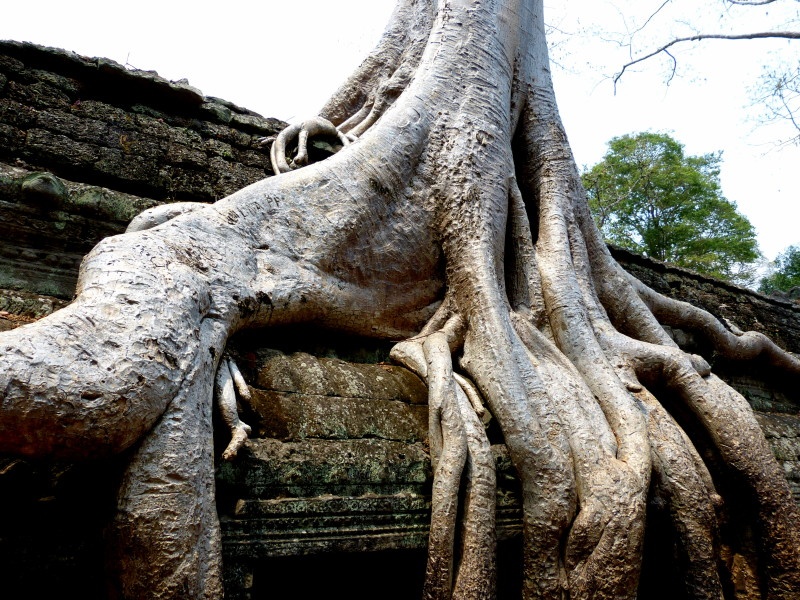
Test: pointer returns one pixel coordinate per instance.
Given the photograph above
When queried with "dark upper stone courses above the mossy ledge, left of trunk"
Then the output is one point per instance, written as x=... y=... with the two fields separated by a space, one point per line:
x=92 y=120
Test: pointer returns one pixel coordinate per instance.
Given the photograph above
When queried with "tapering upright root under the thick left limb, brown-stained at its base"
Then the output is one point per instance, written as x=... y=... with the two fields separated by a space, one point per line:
x=165 y=539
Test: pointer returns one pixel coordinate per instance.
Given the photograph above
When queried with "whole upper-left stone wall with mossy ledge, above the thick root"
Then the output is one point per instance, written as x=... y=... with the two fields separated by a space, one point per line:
x=117 y=141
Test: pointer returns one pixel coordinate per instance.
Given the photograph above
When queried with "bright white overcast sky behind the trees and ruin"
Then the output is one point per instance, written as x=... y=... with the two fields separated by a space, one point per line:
x=282 y=59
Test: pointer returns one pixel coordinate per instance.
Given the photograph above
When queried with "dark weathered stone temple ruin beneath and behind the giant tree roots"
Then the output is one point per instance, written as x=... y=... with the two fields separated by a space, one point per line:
x=332 y=494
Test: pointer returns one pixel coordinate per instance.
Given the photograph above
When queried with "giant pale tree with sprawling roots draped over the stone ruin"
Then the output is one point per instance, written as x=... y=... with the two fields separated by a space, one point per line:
x=455 y=221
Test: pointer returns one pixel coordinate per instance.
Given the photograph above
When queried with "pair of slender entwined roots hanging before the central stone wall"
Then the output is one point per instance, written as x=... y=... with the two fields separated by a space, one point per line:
x=459 y=448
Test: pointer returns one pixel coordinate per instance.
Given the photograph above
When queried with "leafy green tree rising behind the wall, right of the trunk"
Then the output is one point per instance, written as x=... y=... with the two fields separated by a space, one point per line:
x=648 y=196
